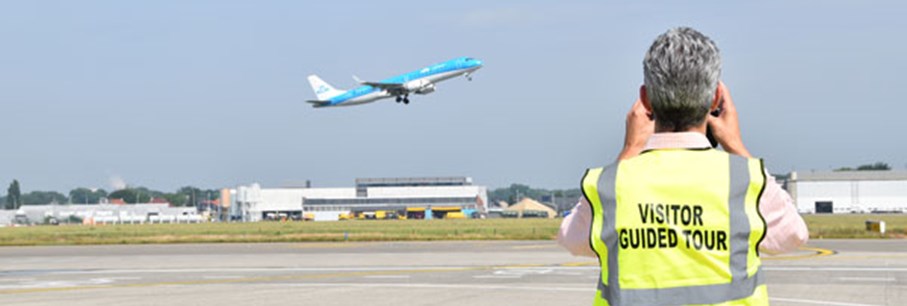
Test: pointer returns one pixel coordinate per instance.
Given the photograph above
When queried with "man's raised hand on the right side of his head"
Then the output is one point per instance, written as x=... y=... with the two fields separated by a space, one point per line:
x=726 y=126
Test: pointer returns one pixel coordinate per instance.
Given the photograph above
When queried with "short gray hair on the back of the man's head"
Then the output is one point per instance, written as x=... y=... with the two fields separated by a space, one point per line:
x=681 y=71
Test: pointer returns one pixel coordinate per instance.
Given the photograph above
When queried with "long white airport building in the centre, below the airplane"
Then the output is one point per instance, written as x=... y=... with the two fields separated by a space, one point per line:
x=380 y=198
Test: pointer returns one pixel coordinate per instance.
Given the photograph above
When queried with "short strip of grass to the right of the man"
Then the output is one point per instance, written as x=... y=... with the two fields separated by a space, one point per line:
x=853 y=225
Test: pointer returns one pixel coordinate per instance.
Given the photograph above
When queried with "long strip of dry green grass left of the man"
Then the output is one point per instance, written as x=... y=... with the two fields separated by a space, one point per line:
x=353 y=230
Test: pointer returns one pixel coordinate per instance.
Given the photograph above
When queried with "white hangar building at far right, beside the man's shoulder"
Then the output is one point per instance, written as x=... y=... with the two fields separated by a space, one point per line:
x=849 y=191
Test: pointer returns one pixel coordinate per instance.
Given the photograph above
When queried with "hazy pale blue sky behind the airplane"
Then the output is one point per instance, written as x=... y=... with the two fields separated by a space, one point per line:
x=211 y=93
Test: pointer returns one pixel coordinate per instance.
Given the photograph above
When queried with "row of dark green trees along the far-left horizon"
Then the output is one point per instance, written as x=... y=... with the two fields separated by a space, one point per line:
x=185 y=196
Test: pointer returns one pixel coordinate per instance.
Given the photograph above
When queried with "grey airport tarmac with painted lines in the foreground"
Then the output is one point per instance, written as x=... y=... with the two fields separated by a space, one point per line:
x=828 y=272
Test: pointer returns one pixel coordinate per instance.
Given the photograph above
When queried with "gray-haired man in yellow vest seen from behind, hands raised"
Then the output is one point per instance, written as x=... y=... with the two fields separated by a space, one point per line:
x=674 y=221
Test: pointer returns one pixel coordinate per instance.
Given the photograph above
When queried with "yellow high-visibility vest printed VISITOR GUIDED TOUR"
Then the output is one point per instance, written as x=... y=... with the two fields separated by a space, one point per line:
x=678 y=227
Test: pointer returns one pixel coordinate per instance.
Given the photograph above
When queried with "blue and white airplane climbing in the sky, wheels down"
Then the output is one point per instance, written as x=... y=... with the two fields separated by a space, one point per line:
x=421 y=82
